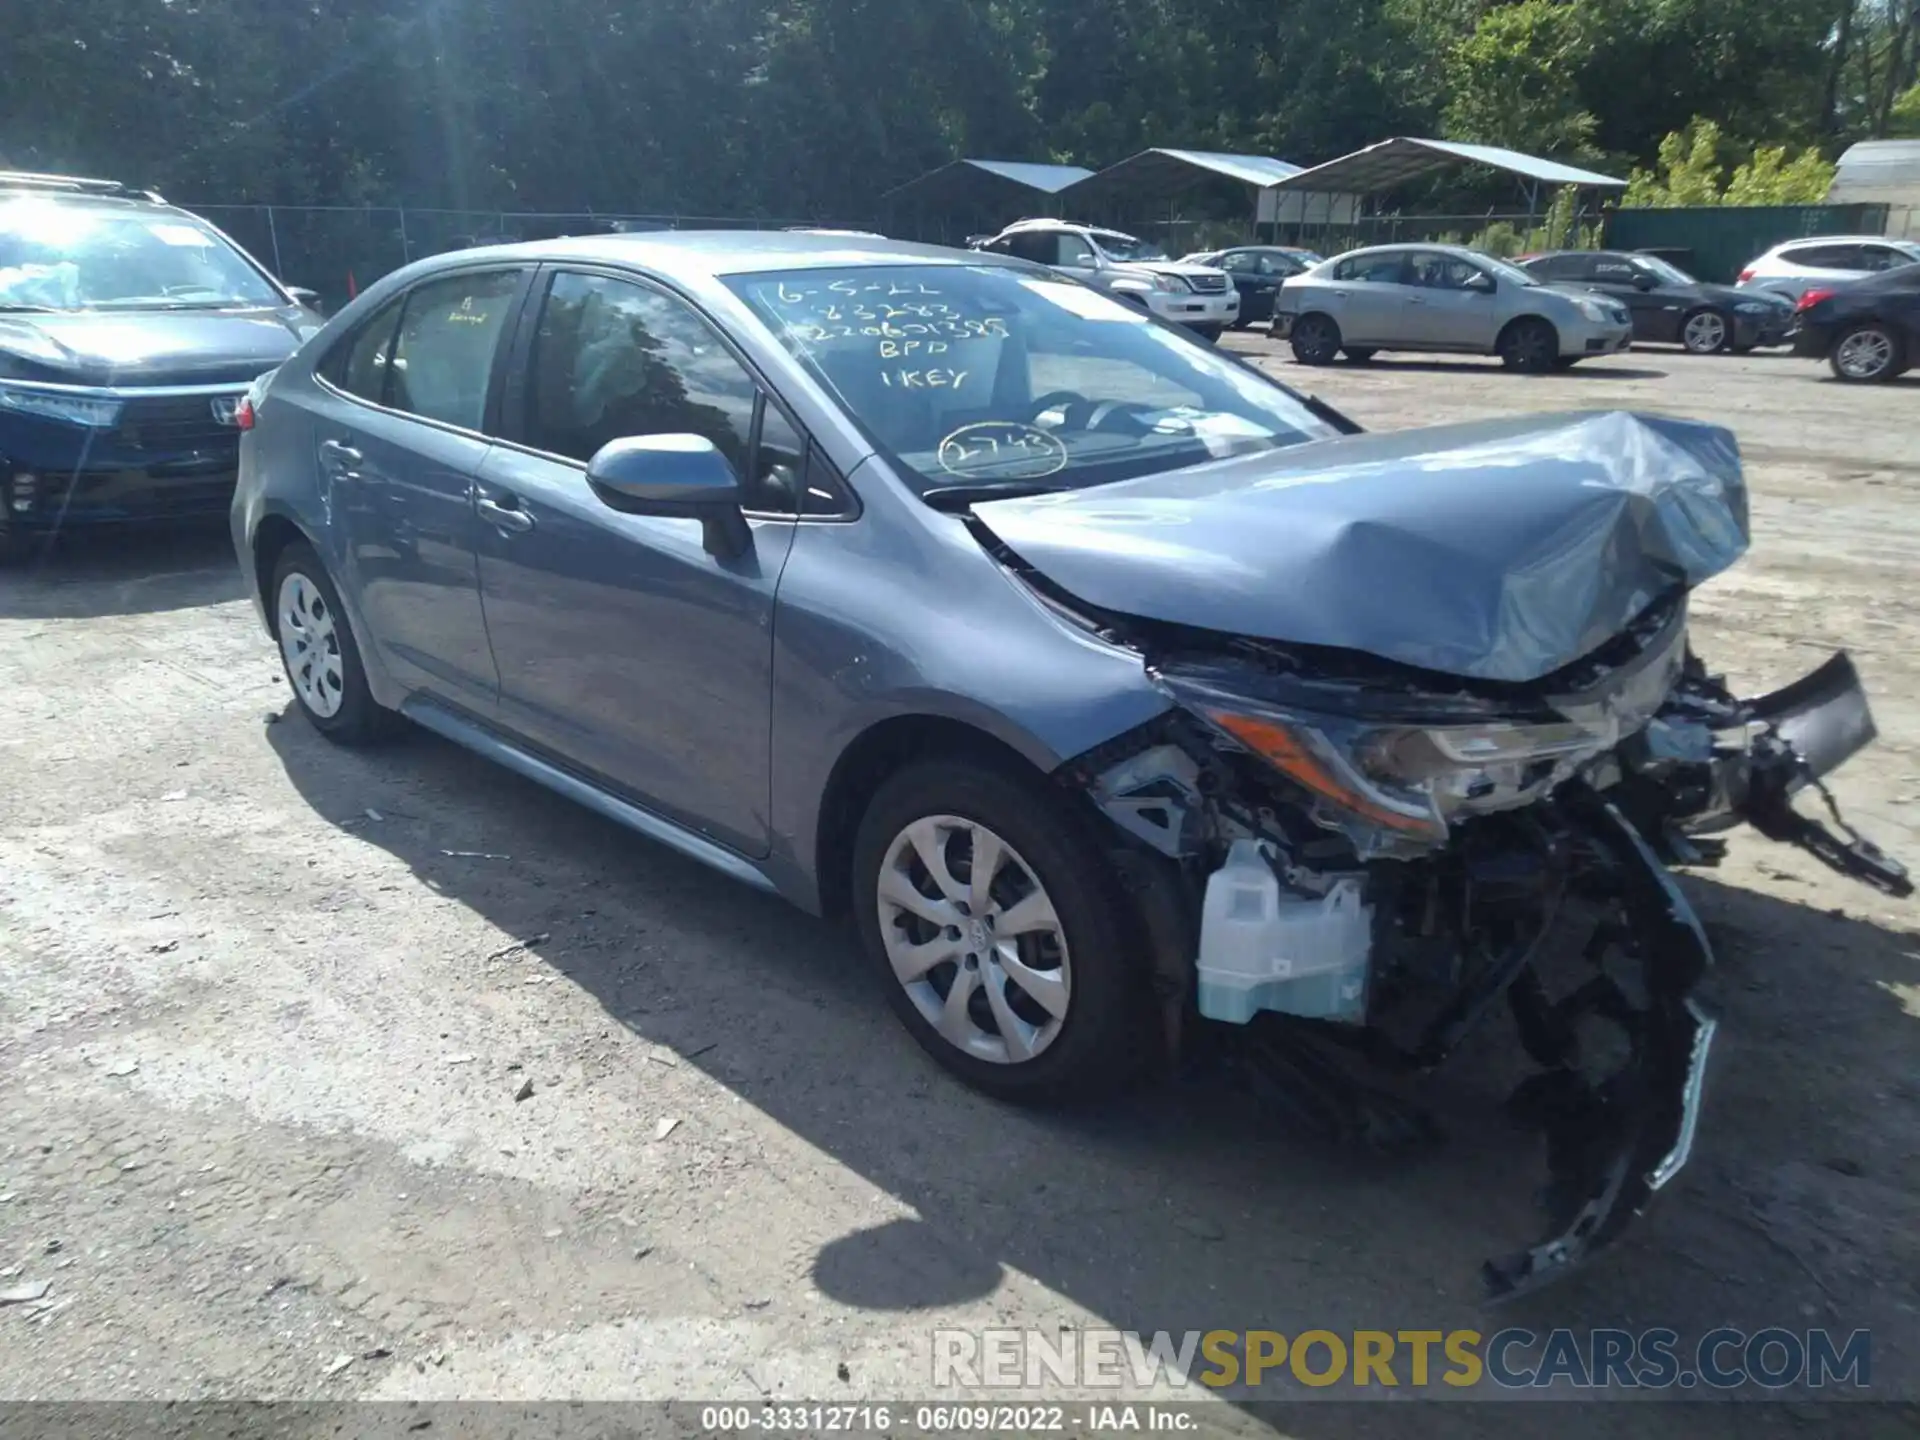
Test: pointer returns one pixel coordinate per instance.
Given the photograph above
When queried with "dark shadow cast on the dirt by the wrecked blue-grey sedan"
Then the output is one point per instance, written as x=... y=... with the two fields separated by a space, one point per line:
x=1186 y=1207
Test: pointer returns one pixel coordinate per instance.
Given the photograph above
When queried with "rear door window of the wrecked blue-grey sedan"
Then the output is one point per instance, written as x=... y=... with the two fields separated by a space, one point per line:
x=444 y=348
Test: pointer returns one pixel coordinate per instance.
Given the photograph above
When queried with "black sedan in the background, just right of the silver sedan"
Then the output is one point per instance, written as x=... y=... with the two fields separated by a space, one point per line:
x=1669 y=306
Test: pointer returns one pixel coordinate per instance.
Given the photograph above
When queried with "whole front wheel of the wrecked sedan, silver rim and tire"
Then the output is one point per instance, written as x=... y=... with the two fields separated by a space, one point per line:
x=1001 y=934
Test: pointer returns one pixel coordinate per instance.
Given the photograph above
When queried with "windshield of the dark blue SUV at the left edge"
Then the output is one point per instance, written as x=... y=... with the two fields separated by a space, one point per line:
x=64 y=258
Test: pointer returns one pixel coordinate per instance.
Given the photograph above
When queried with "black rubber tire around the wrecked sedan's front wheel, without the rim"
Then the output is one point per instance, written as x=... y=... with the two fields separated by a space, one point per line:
x=1107 y=1034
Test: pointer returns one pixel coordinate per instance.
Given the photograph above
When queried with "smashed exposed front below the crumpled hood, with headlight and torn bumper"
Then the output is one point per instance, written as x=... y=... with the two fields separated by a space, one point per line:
x=1370 y=861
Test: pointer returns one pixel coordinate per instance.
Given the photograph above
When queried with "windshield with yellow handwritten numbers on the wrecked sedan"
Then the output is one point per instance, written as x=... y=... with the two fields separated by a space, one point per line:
x=996 y=377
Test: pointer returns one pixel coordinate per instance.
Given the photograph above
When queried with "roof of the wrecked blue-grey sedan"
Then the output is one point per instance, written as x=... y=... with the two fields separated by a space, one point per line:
x=729 y=252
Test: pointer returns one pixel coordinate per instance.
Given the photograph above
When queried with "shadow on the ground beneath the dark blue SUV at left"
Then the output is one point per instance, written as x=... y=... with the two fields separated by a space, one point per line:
x=122 y=571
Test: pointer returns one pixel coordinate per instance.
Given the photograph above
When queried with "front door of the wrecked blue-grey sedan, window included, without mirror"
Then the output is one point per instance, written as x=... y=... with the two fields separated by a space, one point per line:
x=625 y=650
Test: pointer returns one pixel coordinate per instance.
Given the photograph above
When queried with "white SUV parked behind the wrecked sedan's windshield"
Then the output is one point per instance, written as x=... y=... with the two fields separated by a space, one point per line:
x=1199 y=297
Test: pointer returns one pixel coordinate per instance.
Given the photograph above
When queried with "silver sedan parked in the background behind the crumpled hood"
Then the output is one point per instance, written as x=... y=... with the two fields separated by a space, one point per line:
x=1443 y=299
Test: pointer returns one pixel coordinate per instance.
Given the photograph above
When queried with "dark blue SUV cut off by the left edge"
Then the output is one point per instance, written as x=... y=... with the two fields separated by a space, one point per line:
x=130 y=333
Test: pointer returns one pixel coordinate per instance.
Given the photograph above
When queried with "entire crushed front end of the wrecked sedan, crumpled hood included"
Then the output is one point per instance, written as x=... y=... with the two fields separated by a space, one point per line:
x=1435 y=738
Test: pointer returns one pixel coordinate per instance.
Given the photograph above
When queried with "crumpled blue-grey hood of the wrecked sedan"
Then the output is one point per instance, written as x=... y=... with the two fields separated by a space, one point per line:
x=1500 y=550
